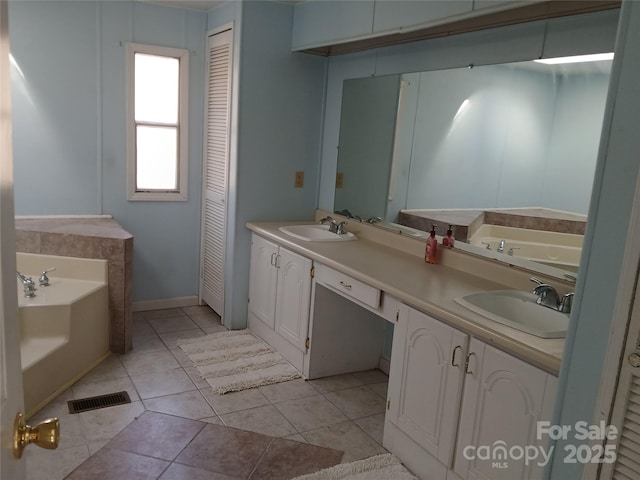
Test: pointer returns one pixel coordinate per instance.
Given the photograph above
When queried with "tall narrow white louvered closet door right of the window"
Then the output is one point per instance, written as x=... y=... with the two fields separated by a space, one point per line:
x=214 y=210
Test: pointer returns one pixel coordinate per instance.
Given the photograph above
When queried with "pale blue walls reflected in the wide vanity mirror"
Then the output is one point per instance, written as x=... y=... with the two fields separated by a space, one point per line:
x=497 y=136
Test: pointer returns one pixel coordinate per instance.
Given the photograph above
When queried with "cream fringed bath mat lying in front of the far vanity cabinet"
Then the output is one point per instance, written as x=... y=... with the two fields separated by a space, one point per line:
x=237 y=360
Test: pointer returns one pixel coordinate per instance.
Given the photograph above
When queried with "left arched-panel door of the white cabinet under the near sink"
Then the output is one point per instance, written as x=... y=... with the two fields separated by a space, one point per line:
x=425 y=381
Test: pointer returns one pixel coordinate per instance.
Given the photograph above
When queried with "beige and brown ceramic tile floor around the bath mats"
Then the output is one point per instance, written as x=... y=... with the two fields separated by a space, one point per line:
x=344 y=412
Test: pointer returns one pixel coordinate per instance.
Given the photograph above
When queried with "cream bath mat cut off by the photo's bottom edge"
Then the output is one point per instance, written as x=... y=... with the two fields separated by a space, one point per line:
x=380 y=467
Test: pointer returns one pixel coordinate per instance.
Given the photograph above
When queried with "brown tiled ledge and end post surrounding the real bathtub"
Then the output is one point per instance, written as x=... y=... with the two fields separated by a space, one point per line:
x=101 y=238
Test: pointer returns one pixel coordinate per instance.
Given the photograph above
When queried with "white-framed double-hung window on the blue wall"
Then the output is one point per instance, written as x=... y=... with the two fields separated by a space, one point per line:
x=157 y=99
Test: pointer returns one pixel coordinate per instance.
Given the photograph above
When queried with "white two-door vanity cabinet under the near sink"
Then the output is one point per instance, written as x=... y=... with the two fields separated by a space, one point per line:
x=448 y=391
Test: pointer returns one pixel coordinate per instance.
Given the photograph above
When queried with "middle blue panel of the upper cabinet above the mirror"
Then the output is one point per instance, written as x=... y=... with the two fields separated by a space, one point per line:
x=398 y=15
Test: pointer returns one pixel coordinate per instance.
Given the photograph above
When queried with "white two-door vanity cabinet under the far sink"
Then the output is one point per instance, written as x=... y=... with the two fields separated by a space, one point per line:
x=279 y=298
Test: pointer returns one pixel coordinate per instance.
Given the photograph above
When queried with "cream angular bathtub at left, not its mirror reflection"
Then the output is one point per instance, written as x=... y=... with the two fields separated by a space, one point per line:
x=64 y=329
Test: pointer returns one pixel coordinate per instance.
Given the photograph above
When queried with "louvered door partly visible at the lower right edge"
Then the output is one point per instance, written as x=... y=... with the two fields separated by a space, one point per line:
x=626 y=410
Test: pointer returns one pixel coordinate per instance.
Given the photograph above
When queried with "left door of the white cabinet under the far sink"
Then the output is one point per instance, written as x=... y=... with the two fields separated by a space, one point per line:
x=263 y=280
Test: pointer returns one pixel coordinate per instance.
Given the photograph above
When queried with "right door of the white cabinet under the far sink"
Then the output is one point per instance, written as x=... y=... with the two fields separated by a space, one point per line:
x=293 y=297
